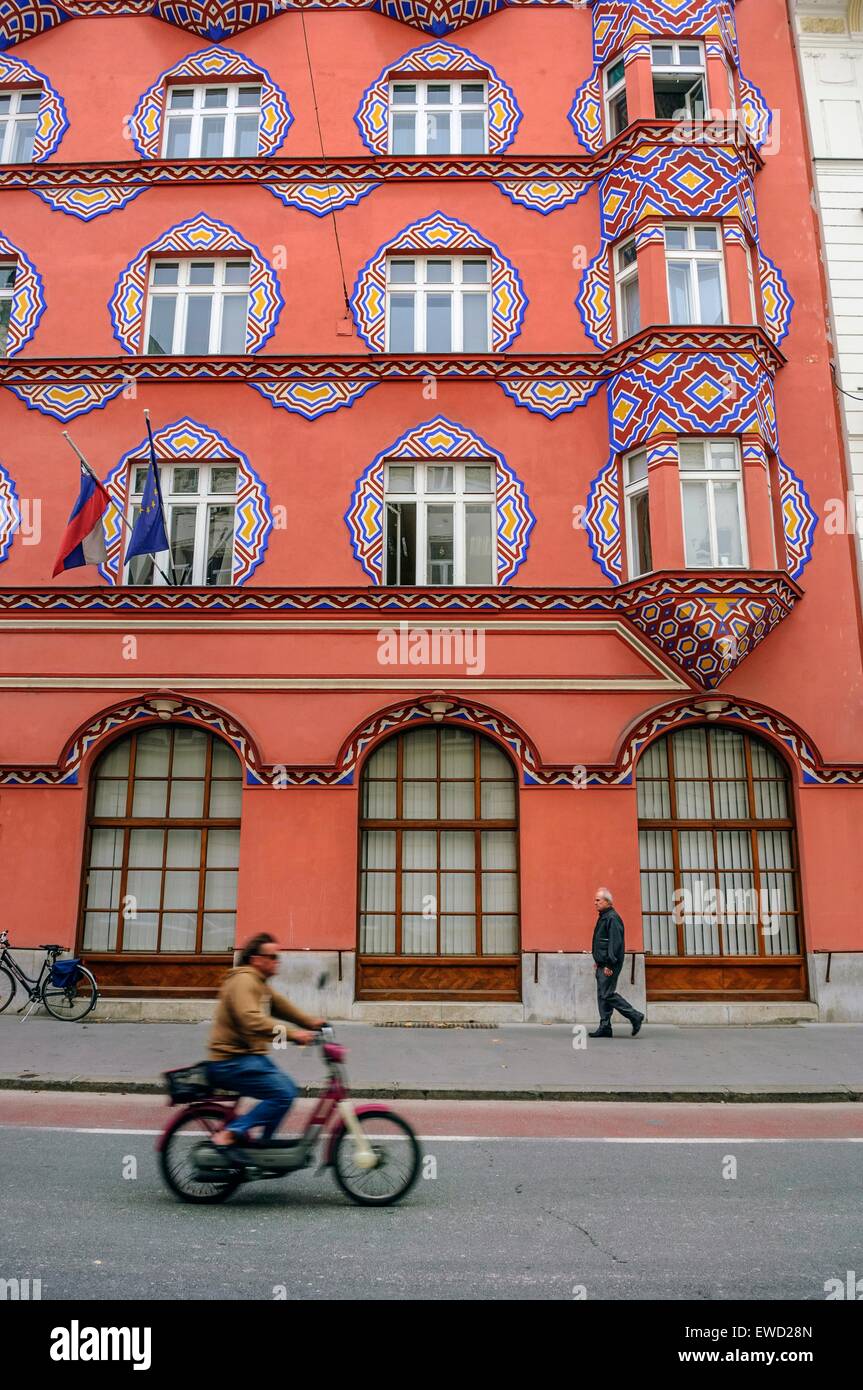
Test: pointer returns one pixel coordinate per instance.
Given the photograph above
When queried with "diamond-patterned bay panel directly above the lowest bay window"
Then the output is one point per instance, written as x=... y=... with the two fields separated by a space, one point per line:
x=701 y=394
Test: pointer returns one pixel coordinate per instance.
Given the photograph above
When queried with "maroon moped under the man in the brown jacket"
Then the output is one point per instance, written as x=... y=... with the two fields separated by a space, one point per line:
x=375 y=1154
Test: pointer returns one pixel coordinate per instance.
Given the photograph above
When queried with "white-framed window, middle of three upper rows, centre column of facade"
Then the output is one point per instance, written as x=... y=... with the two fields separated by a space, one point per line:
x=438 y=305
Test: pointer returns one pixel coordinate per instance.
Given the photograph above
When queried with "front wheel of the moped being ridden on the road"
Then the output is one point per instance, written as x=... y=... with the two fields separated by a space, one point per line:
x=398 y=1156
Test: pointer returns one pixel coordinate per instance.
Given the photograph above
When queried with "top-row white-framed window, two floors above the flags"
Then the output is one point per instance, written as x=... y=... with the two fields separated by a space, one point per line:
x=212 y=123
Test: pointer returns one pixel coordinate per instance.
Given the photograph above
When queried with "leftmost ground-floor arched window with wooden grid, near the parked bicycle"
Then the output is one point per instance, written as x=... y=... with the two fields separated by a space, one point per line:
x=163 y=847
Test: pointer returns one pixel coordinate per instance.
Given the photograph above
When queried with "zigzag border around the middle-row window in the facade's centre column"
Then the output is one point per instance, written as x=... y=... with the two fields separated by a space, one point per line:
x=438 y=234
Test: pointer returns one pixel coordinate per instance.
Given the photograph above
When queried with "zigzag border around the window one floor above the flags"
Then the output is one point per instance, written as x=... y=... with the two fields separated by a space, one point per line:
x=198 y=234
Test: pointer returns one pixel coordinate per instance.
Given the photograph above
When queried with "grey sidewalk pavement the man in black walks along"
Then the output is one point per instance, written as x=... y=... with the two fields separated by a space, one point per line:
x=665 y=1063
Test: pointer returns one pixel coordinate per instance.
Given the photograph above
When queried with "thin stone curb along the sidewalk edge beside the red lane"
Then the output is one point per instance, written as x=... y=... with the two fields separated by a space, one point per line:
x=393 y=1092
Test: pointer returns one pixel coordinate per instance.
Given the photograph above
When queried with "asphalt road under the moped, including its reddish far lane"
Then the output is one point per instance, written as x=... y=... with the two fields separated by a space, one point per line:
x=639 y=1211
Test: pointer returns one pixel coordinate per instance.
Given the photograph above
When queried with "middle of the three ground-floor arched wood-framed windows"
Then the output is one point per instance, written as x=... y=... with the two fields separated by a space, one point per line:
x=438 y=867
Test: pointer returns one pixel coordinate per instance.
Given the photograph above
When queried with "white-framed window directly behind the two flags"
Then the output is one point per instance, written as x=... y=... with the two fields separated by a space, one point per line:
x=201 y=512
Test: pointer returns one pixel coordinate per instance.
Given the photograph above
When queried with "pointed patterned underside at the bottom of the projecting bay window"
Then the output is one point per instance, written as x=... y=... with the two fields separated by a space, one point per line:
x=705 y=632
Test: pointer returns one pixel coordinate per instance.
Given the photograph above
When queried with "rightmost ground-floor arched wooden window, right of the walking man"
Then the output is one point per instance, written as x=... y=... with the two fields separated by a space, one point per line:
x=719 y=862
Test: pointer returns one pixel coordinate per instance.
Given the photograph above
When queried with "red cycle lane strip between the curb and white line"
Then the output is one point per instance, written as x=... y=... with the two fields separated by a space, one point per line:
x=600 y=1121
